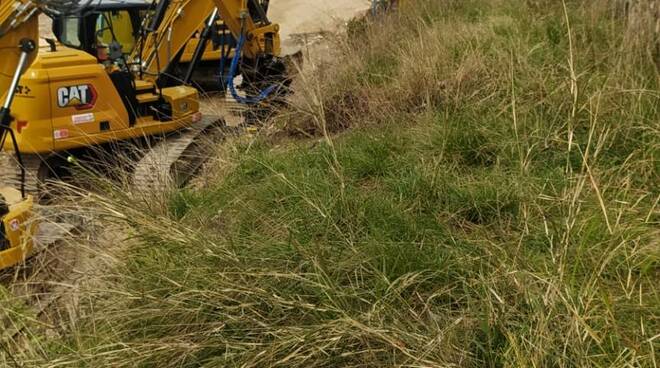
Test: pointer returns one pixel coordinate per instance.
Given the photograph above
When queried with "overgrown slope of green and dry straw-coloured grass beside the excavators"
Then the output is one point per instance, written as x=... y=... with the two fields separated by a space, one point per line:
x=492 y=204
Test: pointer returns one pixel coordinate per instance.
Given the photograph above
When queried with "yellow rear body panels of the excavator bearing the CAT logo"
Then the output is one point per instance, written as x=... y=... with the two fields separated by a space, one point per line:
x=67 y=100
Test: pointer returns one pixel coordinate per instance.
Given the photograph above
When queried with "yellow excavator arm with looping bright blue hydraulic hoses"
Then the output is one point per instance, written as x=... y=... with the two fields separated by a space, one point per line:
x=240 y=28
